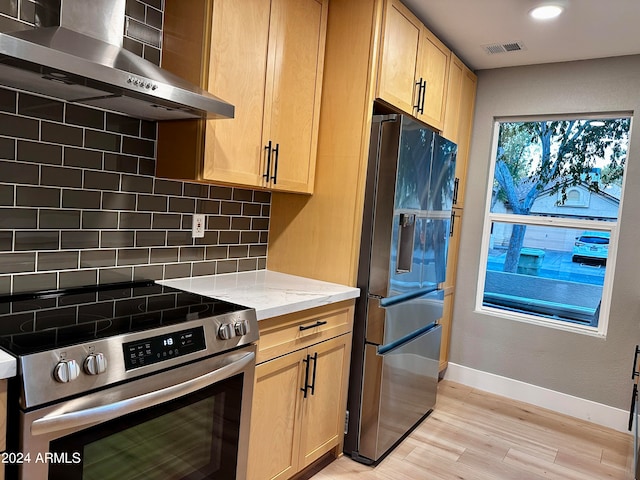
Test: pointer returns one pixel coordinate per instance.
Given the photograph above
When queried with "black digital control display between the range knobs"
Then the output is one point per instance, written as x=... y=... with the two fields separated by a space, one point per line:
x=163 y=347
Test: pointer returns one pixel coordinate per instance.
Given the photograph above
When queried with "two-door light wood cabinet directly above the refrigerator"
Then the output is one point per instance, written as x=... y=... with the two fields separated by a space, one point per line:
x=413 y=66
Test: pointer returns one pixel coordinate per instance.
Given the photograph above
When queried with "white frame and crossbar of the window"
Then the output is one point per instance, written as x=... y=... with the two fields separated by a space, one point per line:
x=605 y=226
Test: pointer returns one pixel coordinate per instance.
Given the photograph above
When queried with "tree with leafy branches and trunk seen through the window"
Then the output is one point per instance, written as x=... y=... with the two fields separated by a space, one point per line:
x=555 y=155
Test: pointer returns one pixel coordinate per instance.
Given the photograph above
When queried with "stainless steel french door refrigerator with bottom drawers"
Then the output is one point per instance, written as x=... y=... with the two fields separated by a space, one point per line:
x=396 y=350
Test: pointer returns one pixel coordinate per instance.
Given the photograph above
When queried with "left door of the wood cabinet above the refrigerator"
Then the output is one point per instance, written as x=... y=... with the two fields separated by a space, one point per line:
x=399 y=57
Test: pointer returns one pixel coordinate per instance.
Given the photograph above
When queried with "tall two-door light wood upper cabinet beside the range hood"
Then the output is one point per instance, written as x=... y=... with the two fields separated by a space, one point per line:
x=272 y=74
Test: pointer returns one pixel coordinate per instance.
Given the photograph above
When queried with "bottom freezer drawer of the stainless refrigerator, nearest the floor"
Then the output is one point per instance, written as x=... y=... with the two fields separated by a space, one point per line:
x=399 y=390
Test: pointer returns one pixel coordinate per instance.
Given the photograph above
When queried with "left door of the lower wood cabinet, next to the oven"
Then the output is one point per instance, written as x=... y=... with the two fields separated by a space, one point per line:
x=274 y=438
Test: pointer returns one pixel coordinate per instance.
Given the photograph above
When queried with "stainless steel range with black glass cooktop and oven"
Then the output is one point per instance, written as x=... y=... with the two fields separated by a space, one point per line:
x=128 y=381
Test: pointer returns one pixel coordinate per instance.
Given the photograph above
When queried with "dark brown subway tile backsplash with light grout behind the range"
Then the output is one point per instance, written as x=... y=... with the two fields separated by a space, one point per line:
x=79 y=202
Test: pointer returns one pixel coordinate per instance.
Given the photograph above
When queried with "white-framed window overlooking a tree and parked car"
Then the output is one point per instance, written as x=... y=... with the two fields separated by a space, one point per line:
x=548 y=249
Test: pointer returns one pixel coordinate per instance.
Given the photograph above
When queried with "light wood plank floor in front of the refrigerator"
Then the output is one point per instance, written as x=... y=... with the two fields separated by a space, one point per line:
x=473 y=435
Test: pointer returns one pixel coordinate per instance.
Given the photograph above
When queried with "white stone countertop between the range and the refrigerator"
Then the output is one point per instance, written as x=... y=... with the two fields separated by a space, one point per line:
x=270 y=293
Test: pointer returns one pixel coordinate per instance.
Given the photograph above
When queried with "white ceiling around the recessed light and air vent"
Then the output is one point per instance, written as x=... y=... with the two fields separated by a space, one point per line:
x=586 y=29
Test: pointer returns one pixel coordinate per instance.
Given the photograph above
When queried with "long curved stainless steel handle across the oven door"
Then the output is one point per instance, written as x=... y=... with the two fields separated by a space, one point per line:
x=103 y=413
